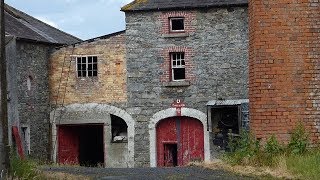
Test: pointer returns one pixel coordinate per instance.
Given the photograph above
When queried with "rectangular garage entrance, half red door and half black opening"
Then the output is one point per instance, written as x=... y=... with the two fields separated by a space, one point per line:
x=81 y=144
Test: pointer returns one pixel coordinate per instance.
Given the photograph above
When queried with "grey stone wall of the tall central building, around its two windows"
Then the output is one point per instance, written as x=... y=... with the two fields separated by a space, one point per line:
x=217 y=40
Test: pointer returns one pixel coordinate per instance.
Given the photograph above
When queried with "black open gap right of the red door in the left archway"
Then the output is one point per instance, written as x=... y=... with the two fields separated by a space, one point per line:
x=91 y=146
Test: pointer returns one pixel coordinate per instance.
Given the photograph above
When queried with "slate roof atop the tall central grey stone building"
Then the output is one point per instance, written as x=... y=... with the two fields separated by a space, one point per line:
x=148 y=5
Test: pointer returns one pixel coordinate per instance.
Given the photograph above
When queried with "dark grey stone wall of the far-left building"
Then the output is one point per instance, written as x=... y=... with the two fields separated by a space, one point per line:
x=34 y=108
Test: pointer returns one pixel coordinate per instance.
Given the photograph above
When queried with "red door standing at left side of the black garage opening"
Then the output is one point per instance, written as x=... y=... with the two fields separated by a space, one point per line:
x=68 y=147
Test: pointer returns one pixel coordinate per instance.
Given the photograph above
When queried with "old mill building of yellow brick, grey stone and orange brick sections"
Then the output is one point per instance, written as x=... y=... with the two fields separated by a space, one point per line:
x=171 y=87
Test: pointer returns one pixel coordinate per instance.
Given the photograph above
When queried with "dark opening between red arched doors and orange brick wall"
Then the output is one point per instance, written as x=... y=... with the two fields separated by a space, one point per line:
x=225 y=121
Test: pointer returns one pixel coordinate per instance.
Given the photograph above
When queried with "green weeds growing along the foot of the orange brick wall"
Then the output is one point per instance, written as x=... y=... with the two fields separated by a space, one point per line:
x=246 y=150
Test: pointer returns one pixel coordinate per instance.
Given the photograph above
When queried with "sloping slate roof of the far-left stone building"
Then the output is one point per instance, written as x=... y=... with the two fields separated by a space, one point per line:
x=26 y=27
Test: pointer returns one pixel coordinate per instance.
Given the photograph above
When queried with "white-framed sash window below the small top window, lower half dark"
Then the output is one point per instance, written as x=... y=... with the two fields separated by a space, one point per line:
x=178 y=67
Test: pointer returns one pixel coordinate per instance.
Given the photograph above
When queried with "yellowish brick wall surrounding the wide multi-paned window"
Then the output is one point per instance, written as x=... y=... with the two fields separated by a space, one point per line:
x=108 y=87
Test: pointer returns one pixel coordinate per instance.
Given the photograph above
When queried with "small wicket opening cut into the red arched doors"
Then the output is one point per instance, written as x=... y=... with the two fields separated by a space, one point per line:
x=170 y=155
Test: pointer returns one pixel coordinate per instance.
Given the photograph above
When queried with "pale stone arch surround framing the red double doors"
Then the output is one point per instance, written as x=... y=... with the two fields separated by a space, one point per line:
x=171 y=112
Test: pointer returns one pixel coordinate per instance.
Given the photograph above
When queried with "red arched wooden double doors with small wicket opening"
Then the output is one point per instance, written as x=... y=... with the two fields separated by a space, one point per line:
x=179 y=141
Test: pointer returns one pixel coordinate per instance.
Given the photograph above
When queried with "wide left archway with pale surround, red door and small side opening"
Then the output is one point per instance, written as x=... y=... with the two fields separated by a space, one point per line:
x=97 y=129
